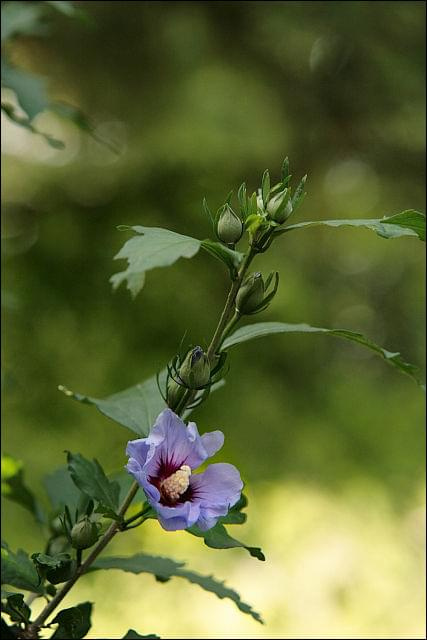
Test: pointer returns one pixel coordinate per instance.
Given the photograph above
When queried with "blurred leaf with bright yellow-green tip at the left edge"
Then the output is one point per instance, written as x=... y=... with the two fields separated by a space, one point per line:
x=14 y=489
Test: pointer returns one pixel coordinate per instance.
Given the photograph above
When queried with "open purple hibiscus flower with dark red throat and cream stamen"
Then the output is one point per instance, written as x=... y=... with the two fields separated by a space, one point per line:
x=163 y=463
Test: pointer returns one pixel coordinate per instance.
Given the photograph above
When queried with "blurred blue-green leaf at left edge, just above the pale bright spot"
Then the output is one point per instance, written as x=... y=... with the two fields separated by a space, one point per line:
x=30 y=89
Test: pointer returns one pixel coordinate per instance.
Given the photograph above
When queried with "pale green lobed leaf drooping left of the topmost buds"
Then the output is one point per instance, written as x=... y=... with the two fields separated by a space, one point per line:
x=151 y=248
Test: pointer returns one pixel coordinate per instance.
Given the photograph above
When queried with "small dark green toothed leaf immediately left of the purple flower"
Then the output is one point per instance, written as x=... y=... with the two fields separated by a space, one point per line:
x=90 y=478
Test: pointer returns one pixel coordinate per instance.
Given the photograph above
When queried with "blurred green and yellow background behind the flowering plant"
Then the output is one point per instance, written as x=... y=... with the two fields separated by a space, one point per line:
x=200 y=96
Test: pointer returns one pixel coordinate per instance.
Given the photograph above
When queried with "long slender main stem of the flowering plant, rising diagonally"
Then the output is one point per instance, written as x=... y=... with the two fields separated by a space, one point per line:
x=222 y=329
